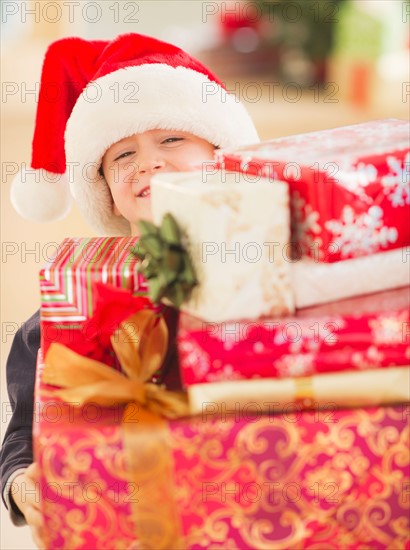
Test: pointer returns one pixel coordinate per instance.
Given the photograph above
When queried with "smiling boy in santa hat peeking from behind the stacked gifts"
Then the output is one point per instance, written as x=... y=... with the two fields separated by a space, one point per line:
x=124 y=110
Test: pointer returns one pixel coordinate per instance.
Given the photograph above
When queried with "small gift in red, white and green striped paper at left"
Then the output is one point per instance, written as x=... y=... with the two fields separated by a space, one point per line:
x=68 y=299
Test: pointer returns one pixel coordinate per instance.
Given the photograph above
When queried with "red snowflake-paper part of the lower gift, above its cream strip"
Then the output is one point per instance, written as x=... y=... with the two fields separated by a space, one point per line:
x=356 y=334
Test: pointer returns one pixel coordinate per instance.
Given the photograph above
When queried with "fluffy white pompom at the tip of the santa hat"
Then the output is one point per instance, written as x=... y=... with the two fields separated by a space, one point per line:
x=40 y=196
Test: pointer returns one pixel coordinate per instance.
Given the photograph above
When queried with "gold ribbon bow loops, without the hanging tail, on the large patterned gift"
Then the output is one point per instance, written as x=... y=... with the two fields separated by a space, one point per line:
x=88 y=381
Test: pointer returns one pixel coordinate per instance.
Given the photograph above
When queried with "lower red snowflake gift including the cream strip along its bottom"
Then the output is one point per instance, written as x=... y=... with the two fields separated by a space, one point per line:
x=355 y=354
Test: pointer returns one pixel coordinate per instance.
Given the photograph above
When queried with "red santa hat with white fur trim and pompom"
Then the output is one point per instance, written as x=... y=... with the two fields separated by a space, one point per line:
x=95 y=93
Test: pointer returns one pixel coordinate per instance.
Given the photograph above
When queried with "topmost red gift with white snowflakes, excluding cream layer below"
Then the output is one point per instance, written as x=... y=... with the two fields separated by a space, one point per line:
x=350 y=186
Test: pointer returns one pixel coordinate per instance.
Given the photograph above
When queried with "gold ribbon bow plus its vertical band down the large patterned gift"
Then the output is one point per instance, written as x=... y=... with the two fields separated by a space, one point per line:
x=147 y=439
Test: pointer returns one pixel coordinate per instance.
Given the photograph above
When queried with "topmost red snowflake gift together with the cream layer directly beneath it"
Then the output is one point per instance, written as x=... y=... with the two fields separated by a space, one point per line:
x=350 y=196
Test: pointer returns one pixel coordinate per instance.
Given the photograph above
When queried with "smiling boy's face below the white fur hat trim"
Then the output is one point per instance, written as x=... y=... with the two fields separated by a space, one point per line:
x=129 y=164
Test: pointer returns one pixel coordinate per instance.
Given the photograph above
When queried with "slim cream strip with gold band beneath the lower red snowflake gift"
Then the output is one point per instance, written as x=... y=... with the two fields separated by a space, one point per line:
x=327 y=391
